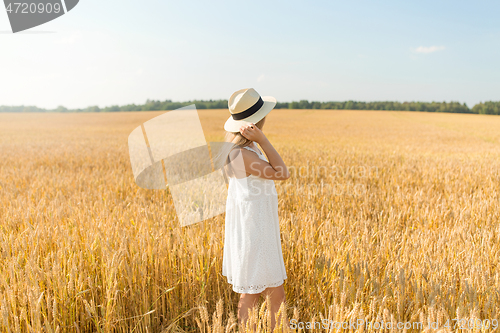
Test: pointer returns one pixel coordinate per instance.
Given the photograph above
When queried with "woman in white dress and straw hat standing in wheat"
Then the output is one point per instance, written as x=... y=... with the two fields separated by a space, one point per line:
x=253 y=260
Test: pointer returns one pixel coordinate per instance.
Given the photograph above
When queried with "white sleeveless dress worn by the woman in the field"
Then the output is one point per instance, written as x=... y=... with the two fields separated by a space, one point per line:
x=252 y=259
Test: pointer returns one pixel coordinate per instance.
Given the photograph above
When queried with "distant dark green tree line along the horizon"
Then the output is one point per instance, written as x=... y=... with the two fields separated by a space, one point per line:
x=157 y=105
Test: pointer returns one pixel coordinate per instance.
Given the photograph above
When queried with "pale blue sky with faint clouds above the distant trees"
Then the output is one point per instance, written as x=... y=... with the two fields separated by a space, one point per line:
x=119 y=52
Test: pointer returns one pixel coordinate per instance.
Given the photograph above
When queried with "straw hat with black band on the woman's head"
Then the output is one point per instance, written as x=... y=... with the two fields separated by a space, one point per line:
x=247 y=106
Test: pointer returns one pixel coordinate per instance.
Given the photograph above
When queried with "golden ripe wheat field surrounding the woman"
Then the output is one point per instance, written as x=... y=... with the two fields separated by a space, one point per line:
x=388 y=217
